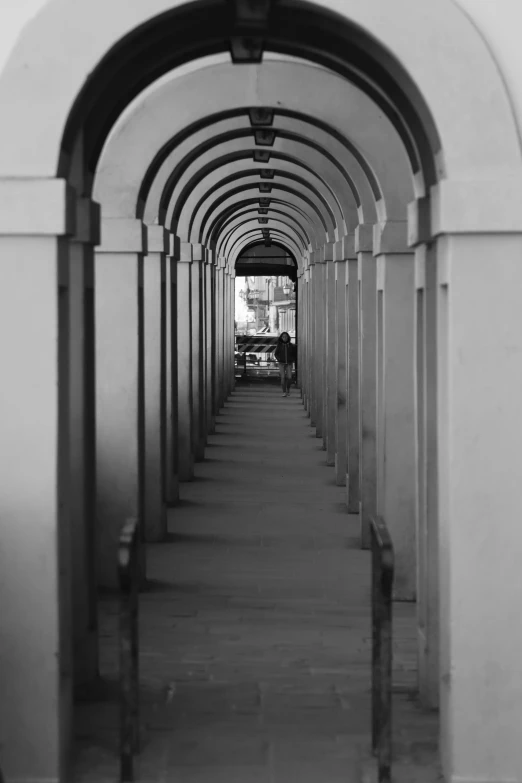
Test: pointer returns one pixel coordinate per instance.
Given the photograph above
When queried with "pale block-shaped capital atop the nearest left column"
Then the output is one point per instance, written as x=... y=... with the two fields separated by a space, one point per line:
x=37 y=207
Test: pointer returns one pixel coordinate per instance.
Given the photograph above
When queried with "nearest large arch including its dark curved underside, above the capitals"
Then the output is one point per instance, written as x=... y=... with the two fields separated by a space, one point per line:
x=381 y=56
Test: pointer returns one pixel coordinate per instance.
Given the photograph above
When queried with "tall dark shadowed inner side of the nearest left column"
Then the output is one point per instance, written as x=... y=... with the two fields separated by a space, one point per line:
x=82 y=453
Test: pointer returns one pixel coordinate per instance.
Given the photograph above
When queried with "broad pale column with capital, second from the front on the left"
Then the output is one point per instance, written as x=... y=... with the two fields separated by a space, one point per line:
x=119 y=387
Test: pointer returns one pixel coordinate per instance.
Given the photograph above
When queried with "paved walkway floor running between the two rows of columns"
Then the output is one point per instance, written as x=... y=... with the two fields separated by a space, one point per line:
x=255 y=629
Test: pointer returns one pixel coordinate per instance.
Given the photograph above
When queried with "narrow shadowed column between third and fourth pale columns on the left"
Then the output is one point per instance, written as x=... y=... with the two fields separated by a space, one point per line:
x=171 y=488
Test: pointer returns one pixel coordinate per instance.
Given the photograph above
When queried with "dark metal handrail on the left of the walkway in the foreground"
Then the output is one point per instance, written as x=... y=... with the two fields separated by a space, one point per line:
x=129 y=576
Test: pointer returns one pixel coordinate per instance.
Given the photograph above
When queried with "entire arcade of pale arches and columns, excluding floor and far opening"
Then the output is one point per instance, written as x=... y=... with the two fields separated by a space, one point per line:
x=146 y=148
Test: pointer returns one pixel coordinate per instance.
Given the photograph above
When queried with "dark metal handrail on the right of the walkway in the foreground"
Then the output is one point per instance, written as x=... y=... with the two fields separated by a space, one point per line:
x=382 y=589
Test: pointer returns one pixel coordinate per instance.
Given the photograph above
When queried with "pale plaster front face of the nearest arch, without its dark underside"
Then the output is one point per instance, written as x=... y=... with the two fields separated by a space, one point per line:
x=440 y=30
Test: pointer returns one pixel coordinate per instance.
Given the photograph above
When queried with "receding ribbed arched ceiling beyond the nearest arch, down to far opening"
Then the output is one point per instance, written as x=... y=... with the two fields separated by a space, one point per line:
x=250 y=171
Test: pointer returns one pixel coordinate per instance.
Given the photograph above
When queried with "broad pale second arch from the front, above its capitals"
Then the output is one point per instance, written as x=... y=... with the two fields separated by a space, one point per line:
x=197 y=92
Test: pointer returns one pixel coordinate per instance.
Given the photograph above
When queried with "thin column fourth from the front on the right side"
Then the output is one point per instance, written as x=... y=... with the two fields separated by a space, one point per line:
x=353 y=480
